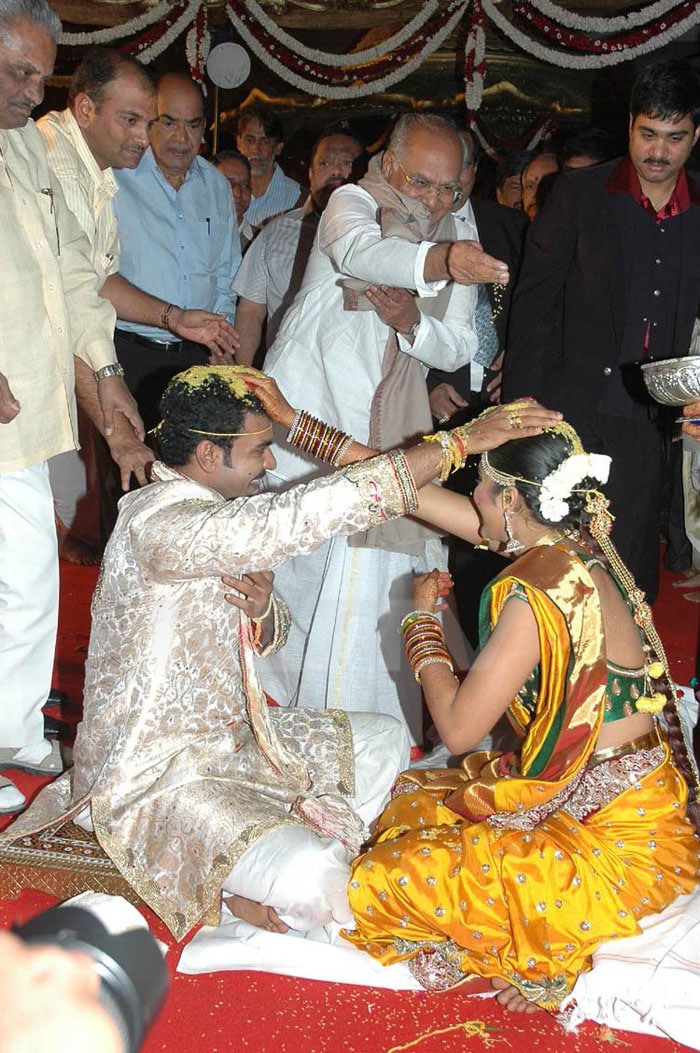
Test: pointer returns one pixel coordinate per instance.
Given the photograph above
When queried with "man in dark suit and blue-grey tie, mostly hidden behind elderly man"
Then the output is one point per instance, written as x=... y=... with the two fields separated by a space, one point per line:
x=464 y=394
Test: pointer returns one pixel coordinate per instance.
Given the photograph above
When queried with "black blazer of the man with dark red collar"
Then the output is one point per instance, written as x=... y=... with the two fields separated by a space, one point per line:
x=576 y=327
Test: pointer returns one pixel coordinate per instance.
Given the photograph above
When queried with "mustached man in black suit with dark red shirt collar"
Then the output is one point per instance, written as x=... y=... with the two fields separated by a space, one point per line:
x=611 y=277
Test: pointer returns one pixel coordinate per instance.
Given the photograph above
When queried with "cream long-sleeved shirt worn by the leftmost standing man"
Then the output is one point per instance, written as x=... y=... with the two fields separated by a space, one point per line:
x=50 y=310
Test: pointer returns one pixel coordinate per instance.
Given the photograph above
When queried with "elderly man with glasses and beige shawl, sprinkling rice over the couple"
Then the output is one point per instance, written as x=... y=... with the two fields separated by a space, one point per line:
x=389 y=292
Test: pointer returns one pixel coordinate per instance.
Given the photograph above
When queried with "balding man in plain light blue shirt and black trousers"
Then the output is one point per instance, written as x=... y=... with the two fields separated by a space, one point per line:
x=178 y=242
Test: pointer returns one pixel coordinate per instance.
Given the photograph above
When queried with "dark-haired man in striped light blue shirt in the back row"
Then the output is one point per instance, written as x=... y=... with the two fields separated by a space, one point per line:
x=262 y=140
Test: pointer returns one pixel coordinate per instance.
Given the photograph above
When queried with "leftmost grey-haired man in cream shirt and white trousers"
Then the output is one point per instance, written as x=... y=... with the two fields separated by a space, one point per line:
x=50 y=312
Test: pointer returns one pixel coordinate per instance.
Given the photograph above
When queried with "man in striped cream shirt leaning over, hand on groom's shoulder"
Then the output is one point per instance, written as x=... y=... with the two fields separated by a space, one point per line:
x=112 y=108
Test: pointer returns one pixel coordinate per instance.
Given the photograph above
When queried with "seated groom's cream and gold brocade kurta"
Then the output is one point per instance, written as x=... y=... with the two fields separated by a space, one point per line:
x=184 y=764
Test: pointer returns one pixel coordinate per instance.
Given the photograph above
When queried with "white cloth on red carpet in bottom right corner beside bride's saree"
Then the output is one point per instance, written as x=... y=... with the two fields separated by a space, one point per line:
x=649 y=983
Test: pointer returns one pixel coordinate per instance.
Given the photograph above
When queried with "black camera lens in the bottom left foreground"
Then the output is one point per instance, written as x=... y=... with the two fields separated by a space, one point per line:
x=131 y=967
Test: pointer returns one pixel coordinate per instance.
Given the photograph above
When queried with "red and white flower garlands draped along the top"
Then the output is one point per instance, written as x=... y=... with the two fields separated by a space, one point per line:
x=376 y=69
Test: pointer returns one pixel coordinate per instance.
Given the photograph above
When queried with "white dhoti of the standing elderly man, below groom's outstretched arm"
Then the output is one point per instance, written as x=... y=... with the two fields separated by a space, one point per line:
x=345 y=650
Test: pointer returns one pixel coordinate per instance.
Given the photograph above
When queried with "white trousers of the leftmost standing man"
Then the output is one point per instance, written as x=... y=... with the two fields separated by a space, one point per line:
x=29 y=603
